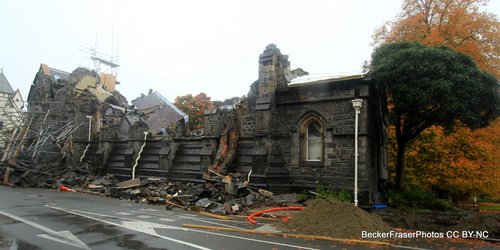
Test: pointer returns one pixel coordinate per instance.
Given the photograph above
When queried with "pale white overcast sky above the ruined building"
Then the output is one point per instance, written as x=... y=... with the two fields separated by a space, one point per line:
x=180 y=47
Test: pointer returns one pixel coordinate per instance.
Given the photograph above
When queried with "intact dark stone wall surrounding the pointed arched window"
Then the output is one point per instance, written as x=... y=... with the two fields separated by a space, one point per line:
x=332 y=104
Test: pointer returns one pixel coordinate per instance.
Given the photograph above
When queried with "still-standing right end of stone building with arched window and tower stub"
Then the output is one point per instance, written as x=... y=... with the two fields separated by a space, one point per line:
x=297 y=131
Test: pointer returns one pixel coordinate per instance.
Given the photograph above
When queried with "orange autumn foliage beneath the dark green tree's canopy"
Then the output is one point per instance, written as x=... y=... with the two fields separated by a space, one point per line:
x=461 y=163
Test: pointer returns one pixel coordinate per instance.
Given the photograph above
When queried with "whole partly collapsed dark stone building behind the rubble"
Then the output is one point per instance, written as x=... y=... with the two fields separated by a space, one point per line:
x=292 y=132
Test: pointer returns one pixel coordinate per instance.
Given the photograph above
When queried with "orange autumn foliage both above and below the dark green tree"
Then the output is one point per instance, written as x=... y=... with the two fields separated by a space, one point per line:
x=465 y=161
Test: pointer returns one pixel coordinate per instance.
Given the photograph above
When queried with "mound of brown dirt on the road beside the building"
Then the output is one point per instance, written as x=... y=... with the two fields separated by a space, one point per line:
x=334 y=219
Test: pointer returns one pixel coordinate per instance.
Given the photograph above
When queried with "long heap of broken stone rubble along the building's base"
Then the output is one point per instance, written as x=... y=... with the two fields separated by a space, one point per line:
x=217 y=196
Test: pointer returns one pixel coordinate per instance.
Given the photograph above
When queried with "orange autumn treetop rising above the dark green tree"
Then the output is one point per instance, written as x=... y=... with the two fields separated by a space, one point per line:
x=458 y=24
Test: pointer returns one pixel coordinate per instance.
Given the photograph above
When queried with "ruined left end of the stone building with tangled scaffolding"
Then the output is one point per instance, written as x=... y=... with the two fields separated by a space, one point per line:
x=60 y=107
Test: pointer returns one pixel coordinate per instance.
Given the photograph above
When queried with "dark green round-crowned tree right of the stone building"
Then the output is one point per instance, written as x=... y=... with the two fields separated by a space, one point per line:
x=428 y=86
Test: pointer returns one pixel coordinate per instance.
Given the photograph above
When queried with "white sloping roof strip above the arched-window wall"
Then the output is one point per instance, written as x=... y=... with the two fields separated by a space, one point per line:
x=324 y=78
